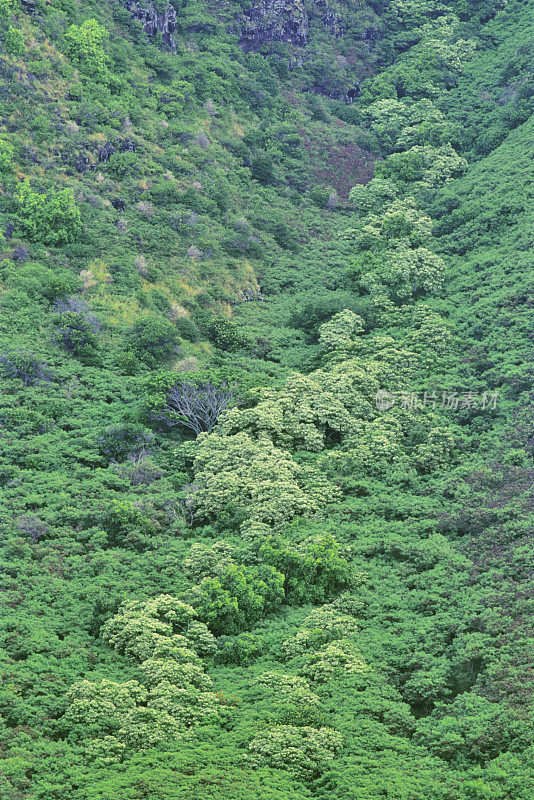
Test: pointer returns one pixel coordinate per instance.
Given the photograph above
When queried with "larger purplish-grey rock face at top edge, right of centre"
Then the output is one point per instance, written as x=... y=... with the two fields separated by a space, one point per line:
x=286 y=21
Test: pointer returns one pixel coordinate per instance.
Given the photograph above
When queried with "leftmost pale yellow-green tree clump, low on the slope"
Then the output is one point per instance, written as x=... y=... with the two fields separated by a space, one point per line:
x=176 y=693
